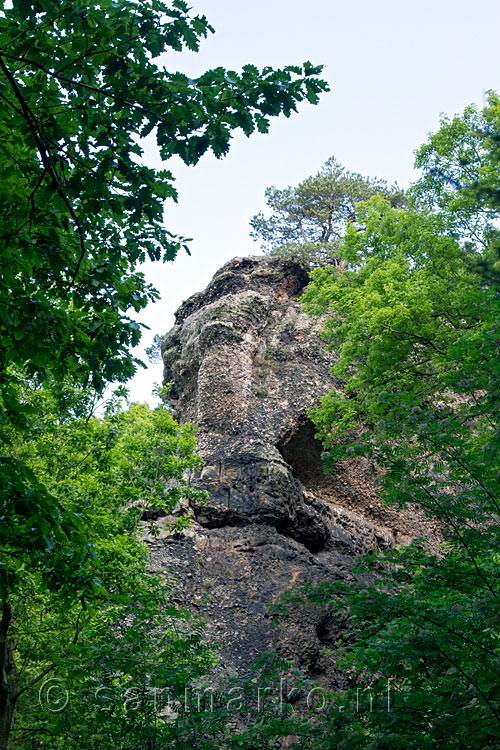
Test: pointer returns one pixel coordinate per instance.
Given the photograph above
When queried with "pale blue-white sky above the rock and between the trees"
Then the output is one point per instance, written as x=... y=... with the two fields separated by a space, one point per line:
x=393 y=68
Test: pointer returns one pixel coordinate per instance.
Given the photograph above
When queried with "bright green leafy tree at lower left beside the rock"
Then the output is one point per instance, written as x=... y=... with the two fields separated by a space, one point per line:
x=108 y=625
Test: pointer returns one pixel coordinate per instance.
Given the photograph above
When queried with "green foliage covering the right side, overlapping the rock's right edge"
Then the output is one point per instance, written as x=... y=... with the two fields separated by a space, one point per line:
x=416 y=322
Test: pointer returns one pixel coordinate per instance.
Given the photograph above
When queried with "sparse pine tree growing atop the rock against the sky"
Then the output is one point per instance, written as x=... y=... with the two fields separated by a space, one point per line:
x=308 y=221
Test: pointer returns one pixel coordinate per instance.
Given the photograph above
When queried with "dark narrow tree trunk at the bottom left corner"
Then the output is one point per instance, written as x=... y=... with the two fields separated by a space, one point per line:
x=8 y=677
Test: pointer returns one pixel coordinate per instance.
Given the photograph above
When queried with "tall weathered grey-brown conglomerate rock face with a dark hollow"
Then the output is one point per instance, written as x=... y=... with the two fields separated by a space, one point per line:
x=246 y=364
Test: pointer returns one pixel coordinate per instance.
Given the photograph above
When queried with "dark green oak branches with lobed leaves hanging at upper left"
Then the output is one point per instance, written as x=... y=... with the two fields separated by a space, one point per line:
x=80 y=85
